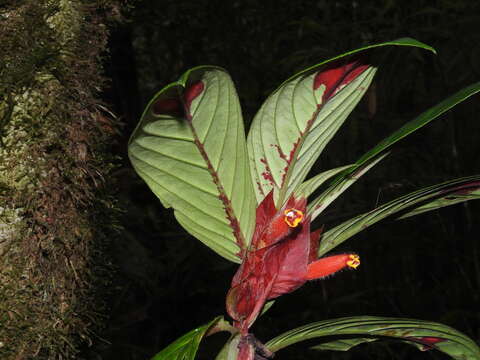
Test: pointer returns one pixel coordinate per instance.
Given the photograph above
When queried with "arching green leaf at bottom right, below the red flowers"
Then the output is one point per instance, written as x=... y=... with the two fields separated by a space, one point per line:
x=365 y=328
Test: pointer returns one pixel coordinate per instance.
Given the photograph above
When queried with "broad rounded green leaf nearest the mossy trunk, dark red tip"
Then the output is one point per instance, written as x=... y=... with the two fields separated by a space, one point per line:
x=190 y=149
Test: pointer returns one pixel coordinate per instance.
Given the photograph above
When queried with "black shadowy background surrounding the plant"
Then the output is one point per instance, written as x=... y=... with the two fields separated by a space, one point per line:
x=425 y=267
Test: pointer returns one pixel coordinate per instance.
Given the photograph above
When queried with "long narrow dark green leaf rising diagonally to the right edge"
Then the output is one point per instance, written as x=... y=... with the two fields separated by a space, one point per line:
x=318 y=205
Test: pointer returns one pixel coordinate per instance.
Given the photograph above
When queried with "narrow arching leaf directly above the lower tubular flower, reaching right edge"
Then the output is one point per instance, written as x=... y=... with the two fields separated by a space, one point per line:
x=429 y=198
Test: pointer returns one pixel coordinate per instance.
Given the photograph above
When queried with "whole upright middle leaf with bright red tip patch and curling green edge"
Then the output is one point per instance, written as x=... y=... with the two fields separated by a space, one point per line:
x=298 y=119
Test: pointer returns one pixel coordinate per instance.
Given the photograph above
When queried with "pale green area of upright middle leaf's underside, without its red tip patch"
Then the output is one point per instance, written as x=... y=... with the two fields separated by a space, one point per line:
x=291 y=130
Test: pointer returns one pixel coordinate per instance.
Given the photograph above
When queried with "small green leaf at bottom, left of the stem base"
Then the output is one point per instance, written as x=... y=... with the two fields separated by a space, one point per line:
x=185 y=347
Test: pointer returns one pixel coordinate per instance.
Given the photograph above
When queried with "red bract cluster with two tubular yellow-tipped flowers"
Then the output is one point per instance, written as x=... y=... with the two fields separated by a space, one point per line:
x=281 y=258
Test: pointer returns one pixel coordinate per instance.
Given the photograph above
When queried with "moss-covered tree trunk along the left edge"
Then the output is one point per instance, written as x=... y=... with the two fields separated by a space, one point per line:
x=55 y=212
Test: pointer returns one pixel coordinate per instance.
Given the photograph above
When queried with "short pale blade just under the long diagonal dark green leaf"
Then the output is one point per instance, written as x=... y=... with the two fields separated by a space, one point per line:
x=321 y=202
